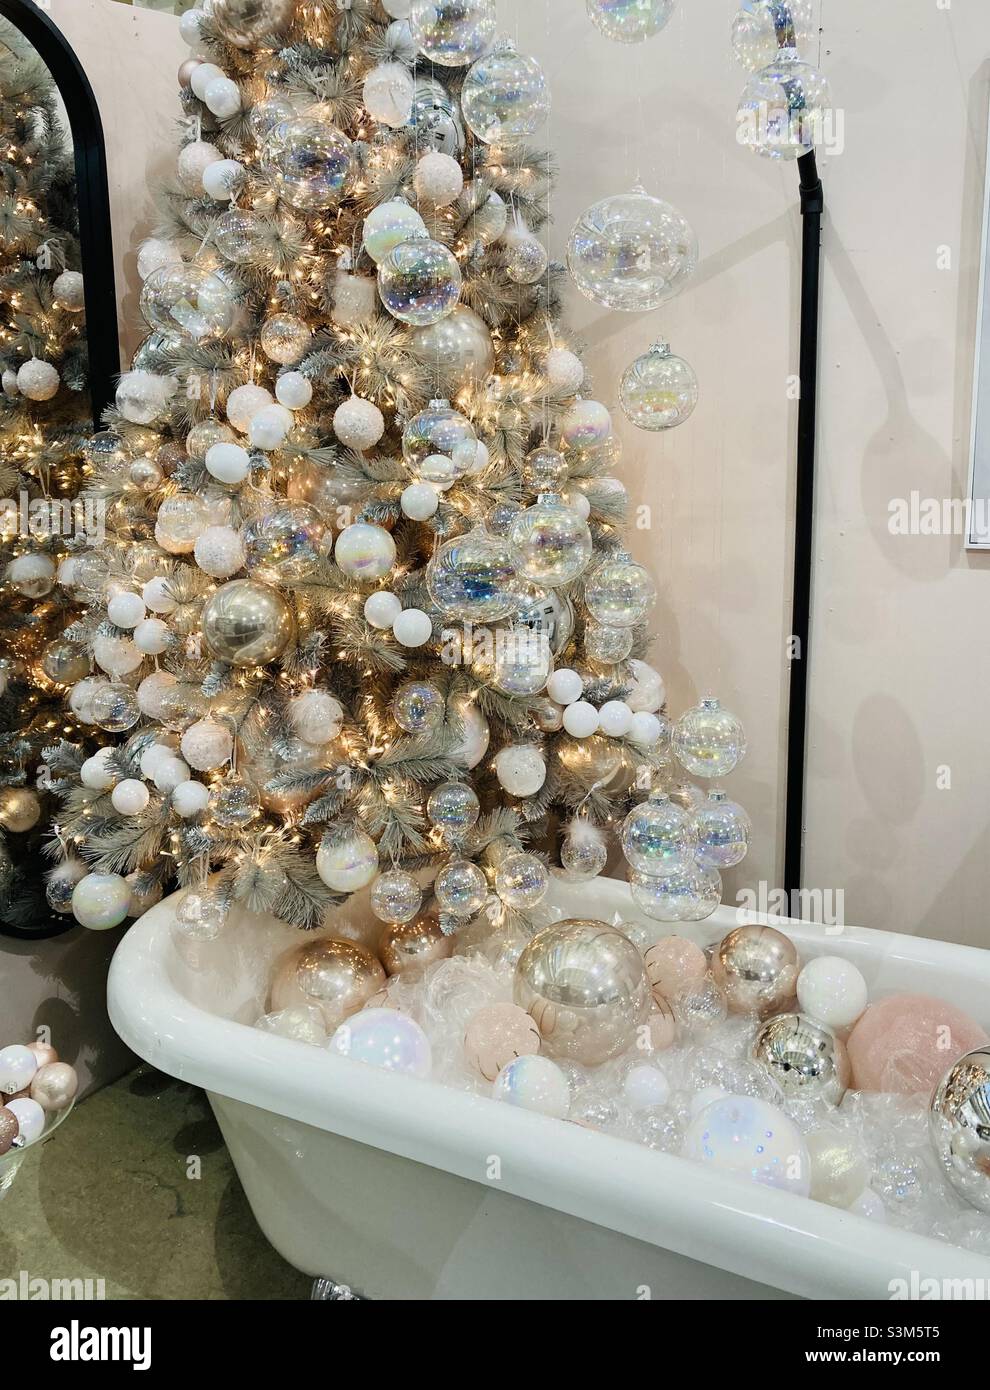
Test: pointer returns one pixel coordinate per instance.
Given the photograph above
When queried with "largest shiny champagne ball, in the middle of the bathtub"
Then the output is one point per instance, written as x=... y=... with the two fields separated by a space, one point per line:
x=586 y=988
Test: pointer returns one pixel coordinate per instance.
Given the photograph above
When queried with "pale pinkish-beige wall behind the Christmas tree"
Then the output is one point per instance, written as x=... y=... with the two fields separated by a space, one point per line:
x=899 y=668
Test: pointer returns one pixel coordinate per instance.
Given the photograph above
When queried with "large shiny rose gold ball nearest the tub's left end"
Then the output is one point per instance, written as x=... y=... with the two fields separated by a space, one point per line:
x=336 y=976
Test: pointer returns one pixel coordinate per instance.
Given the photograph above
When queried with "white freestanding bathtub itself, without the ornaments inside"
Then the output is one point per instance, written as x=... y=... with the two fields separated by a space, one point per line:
x=405 y=1189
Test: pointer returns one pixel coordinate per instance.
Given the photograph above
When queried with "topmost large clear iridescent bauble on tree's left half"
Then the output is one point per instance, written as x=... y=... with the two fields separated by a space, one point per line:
x=309 y=162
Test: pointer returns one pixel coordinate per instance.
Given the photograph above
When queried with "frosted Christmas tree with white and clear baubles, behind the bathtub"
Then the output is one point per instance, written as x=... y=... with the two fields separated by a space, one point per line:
x=366 y=614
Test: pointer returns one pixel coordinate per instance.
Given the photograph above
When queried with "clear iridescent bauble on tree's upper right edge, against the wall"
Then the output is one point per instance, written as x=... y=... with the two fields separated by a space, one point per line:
x=505 y=98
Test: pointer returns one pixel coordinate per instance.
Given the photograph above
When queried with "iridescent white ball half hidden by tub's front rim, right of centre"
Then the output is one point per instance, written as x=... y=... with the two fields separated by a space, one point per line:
x=752 y=1140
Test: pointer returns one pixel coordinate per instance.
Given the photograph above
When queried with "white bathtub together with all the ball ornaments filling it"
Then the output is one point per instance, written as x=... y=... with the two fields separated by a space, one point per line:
x=606 y=1111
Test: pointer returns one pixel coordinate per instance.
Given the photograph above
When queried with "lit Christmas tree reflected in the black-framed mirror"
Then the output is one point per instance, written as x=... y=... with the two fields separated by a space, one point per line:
x=44 y=419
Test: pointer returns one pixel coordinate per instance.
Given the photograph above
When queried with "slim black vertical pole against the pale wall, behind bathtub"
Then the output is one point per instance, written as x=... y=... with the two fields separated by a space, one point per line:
x=813 y=209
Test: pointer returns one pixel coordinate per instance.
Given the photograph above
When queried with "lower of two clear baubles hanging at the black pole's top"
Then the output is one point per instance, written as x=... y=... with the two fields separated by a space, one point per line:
x=785 y=109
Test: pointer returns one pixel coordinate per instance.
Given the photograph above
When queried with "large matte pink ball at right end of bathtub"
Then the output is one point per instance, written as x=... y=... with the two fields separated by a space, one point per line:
x=907 y=1043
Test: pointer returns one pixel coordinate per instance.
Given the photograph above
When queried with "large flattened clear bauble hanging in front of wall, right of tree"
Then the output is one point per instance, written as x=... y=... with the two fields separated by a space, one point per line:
x=632 y=252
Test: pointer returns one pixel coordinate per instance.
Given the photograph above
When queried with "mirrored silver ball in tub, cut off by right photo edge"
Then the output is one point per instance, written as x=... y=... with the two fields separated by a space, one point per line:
x=960 y=1127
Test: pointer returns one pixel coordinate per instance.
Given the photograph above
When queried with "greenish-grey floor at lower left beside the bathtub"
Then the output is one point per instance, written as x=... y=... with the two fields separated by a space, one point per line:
x=112 y=1197
